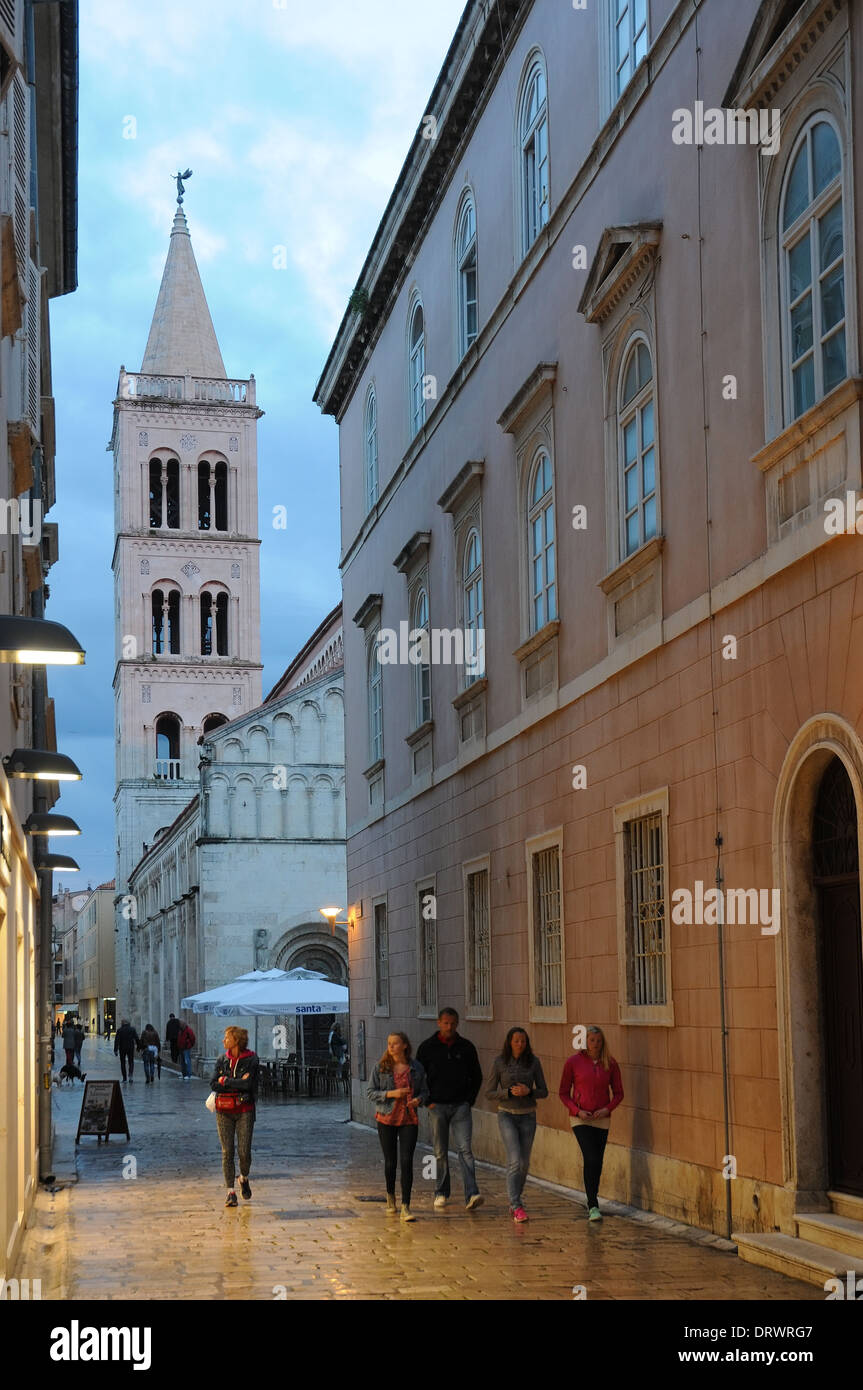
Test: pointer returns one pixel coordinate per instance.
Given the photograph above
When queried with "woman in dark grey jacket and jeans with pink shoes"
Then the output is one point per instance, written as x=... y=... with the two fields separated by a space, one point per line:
x=516 y=1082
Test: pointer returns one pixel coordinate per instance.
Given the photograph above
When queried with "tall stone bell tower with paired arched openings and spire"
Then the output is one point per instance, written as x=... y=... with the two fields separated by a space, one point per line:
x=187 y=586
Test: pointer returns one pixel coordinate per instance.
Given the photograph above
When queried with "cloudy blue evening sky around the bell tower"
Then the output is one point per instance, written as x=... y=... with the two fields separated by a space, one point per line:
x=295 y=119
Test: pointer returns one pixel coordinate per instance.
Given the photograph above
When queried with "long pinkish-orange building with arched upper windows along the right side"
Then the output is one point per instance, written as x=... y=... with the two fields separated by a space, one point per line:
x=601 y=405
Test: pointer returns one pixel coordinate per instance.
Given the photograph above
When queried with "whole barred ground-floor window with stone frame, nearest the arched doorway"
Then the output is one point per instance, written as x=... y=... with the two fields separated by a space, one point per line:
x=643 y=910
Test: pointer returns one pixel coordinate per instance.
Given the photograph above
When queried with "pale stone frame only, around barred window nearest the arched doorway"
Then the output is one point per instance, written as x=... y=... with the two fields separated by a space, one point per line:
x=626 y=814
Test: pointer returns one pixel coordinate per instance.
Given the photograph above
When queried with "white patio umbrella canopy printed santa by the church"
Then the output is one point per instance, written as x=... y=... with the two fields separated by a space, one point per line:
x=272 y=993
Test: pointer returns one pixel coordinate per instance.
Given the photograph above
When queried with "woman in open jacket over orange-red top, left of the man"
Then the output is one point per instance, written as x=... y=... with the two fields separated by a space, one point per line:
x=398 y=1086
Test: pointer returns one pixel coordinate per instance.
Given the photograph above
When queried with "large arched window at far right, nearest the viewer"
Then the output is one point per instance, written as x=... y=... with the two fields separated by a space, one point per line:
x=814 y=268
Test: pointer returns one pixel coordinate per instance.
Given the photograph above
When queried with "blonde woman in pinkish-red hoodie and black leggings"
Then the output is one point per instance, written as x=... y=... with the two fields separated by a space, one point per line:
x=591 y=1089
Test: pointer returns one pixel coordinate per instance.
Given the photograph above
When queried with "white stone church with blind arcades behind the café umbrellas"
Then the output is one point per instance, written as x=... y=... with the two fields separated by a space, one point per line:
x=237 y=882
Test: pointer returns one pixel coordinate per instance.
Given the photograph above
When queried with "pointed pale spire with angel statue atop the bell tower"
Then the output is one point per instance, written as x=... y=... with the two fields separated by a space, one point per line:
x=183 y=340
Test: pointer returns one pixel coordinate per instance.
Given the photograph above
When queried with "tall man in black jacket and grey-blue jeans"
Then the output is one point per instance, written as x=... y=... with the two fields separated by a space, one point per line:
x=455 y=1078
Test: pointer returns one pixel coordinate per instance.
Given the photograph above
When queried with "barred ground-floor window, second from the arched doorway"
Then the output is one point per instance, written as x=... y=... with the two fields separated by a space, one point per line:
x=545 y=928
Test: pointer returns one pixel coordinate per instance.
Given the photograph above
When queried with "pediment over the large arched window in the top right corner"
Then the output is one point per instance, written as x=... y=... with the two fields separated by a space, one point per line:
x=775 y=51
